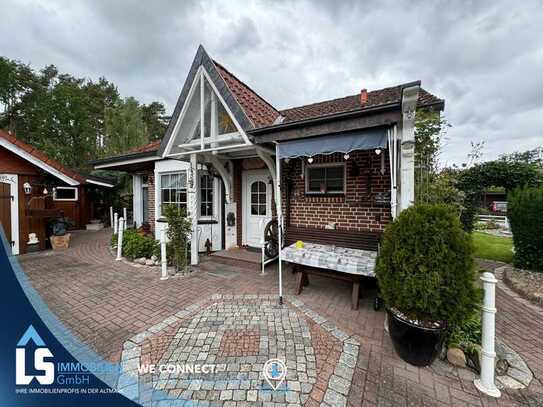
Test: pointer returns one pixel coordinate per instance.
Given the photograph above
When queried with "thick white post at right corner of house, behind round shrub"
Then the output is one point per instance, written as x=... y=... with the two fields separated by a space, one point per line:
x=410 y=96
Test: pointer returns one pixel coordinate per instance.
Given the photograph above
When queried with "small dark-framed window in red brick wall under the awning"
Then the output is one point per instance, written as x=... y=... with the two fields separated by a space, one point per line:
x=325 y=179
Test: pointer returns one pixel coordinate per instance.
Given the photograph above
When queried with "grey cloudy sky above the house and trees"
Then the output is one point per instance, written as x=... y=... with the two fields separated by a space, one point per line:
x=484 y=57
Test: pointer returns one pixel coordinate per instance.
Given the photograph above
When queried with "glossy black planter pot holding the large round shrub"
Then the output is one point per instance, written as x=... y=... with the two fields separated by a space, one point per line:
x=416 y=345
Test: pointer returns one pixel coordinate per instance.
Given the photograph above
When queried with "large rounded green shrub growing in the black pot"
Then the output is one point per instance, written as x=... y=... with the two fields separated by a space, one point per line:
x=425 y=266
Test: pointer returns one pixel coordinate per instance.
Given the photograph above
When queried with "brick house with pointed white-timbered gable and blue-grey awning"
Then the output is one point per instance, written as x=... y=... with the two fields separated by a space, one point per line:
x=345 y=164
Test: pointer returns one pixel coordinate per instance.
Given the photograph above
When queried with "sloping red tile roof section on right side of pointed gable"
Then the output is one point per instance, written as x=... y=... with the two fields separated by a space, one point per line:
x=257 y=110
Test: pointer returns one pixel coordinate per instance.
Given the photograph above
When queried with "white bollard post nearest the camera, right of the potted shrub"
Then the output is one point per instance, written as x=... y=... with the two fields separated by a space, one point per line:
x=488 y=354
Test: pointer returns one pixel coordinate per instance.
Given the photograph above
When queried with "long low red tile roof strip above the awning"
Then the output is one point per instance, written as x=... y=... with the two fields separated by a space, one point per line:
x=349 y=103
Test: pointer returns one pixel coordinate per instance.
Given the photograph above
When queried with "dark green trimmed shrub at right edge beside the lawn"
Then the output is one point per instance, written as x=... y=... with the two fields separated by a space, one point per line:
x=525 y=213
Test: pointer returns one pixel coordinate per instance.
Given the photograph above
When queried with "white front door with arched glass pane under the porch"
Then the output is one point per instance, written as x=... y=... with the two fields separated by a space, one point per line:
x=257 y=196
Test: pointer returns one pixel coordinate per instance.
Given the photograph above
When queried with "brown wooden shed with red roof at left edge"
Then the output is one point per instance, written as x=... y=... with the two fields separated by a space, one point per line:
x=35 y=189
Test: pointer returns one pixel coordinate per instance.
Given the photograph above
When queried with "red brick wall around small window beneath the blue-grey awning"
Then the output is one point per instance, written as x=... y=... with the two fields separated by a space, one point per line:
x=356 y=210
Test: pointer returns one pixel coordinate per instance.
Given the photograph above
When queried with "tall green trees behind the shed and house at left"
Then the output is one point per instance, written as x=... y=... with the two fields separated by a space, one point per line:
x=73 y=120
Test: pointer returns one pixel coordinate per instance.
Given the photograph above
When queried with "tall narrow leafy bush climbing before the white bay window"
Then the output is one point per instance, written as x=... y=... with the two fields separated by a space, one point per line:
x=179 y=226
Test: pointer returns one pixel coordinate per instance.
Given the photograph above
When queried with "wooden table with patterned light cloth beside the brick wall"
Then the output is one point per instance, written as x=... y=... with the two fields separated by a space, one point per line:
x=331 y=261
